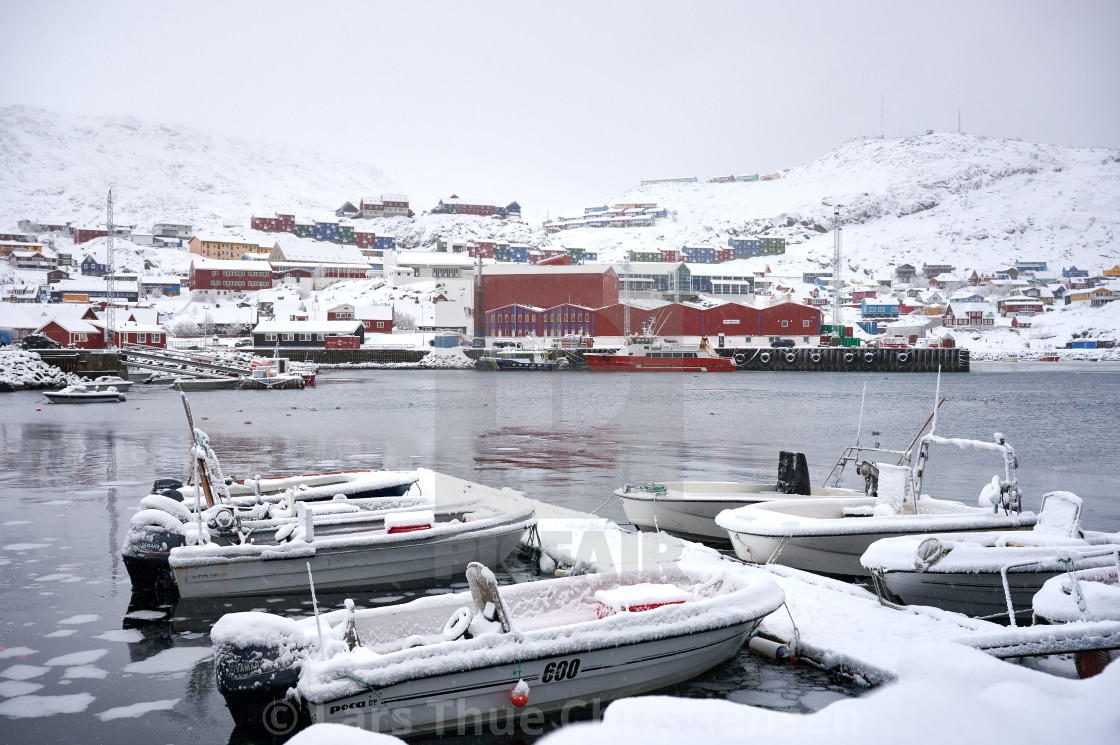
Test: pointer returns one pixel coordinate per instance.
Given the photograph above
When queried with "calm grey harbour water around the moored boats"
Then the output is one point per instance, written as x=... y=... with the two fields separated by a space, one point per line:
x=78 y=664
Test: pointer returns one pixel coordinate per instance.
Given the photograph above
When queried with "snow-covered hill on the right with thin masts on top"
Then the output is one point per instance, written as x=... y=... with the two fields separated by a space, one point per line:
x=975 y=202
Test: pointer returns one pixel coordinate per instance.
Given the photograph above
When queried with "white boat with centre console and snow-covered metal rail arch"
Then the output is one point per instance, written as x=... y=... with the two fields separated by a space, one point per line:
x=830 y=535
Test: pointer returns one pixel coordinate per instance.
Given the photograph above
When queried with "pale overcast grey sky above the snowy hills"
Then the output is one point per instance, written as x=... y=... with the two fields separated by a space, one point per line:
x=557 y=105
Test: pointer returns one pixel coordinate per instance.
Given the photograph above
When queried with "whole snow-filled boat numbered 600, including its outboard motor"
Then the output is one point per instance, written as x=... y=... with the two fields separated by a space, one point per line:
x=491 y=655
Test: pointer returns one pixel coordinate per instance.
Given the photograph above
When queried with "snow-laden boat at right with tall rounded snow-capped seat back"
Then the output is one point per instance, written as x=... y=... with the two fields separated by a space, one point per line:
x=990 y=575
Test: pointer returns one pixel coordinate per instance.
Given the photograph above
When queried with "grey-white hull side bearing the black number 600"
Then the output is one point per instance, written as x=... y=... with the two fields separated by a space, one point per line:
x=479 y=696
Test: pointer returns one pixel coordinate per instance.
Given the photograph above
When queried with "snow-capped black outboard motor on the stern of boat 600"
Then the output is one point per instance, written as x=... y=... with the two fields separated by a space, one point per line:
x=258 y=658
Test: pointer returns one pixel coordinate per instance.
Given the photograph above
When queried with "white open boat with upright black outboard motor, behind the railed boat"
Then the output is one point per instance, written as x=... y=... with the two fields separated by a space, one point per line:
x=689 y=509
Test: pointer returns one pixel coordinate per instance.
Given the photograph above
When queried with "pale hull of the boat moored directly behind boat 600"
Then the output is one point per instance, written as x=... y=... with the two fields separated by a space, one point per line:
x=393 y=564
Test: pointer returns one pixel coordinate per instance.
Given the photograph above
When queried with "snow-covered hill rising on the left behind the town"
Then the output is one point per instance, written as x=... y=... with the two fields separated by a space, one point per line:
x=57 y=167
